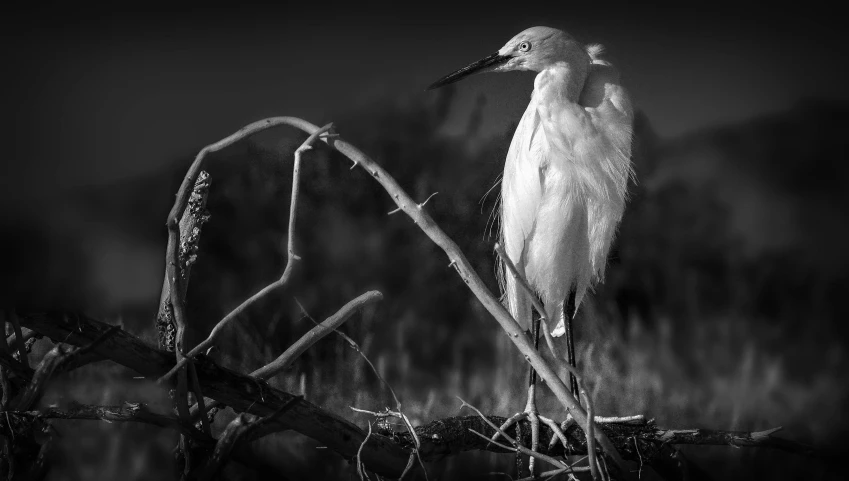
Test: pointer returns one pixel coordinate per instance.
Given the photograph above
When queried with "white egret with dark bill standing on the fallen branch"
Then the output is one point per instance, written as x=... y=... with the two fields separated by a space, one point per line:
x=565 y=178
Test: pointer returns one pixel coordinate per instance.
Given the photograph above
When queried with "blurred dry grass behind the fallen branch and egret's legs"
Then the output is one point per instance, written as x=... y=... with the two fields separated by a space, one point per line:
x=722 y=373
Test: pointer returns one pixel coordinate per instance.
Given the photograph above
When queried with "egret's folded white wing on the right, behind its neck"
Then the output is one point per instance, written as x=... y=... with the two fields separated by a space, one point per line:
x=609 y=109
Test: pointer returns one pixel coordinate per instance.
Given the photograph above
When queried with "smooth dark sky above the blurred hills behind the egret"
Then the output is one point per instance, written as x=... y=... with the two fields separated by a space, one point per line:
x=95 y=96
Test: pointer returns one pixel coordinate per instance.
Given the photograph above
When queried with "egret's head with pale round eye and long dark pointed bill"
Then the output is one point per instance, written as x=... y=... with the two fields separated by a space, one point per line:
x=533 y=49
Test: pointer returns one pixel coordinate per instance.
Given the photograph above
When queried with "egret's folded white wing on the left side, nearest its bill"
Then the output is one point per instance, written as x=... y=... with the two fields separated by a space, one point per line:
x=521 y=187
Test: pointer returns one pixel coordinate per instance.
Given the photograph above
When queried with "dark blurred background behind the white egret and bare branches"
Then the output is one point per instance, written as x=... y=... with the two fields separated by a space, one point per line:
x=724 y=303
